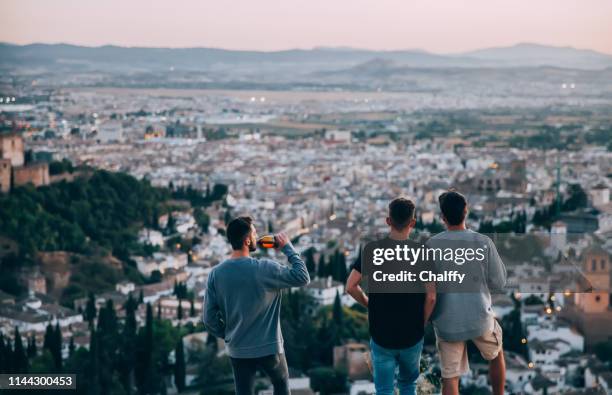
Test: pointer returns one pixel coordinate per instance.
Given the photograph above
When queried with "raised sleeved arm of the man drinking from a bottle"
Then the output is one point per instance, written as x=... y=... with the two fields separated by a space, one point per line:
x=275 y=275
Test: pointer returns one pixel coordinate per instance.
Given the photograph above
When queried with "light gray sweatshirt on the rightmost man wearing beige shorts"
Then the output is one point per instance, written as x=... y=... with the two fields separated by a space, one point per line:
x=462 y=316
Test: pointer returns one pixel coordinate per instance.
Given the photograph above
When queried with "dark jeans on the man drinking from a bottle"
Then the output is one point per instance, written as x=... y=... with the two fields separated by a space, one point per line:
x=274 y=366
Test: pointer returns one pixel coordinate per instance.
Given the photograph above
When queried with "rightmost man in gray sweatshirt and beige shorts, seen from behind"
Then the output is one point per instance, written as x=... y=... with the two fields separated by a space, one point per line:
x=465 y=313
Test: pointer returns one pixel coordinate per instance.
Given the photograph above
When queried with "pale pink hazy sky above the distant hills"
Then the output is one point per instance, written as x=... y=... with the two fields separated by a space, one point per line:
x=439 y=26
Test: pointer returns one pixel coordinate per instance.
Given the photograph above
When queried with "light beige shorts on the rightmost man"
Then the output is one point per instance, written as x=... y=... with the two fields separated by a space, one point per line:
x=453 y=355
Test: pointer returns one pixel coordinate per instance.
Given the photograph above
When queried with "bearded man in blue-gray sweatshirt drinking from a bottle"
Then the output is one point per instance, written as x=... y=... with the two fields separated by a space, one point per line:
x=243 y=303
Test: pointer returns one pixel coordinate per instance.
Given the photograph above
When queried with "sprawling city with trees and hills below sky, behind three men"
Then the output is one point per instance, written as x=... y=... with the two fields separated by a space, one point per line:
x=120 y=168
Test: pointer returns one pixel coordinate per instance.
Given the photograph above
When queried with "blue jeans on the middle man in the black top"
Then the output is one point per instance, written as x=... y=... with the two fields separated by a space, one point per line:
x=386 y=362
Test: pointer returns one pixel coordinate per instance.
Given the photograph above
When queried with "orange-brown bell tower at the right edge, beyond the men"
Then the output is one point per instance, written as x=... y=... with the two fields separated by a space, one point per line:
x=596 y=269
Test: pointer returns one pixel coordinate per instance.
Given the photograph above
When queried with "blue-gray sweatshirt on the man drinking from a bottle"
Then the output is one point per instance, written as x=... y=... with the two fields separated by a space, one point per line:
x=243 y=302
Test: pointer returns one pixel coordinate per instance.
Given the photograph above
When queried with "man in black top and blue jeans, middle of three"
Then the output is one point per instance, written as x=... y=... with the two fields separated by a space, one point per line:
x=396 y=320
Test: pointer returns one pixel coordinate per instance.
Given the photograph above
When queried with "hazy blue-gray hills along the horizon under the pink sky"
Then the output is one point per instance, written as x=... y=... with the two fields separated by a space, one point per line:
x=317 y=59
